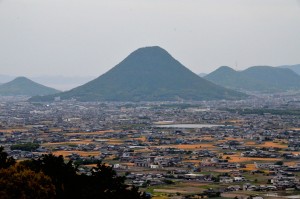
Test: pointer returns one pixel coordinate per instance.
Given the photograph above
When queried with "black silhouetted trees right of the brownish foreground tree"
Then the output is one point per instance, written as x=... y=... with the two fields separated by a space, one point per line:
x=103 y=182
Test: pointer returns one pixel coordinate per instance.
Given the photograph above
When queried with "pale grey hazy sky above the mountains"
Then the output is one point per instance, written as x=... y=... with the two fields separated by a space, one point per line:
x=88 y=37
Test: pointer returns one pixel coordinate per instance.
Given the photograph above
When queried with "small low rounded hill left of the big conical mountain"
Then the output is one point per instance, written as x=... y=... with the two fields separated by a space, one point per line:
x=24 y=86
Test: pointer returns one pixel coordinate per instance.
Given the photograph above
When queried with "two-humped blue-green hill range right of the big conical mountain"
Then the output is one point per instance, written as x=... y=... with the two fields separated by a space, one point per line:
x=256 y=78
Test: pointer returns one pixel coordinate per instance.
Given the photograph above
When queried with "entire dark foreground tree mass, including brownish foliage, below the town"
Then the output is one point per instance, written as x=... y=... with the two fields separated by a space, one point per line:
x=51 y=177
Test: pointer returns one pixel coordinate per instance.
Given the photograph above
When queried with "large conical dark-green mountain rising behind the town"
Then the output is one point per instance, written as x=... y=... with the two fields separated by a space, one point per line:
x=147 y=74
